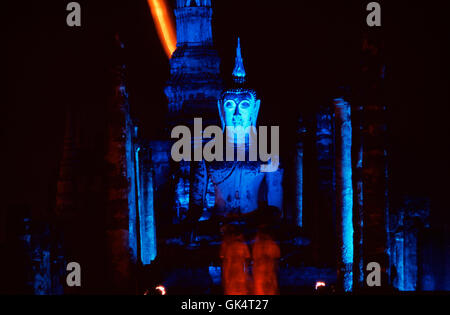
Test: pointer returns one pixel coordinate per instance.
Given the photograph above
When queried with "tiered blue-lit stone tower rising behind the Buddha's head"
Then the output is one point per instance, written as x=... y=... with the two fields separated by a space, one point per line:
x=195 y=83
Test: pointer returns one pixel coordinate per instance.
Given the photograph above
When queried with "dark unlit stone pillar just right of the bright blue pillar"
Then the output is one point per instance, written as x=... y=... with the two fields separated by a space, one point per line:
x=374 y=169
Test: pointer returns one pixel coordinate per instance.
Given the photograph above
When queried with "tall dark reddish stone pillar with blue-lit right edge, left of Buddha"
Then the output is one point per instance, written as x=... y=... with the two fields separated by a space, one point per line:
x=120 y=186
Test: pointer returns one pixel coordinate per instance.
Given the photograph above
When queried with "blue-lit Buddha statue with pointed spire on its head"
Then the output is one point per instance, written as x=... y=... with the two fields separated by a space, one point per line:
x=241 y=187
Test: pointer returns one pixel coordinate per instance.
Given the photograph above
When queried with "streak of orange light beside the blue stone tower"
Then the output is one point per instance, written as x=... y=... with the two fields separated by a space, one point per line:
x=164 y=25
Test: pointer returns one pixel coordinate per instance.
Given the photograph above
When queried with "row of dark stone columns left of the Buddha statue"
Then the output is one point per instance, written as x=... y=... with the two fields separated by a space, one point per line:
x=114 y=223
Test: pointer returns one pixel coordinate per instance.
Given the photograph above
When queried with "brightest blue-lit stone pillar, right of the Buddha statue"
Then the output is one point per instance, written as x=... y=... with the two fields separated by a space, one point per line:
x=344 y=189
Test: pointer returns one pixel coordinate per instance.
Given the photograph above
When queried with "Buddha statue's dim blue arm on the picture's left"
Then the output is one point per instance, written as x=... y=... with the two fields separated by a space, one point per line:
x=199 y=181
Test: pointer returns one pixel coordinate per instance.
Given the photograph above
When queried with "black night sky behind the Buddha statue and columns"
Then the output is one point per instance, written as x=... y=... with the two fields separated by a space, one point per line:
x=294 y=51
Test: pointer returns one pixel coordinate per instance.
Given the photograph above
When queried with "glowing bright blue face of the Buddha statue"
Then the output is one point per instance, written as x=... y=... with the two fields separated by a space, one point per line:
x=239 y=109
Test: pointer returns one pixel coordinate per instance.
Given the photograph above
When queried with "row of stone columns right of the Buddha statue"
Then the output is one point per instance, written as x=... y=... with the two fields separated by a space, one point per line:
x=360 y=178
